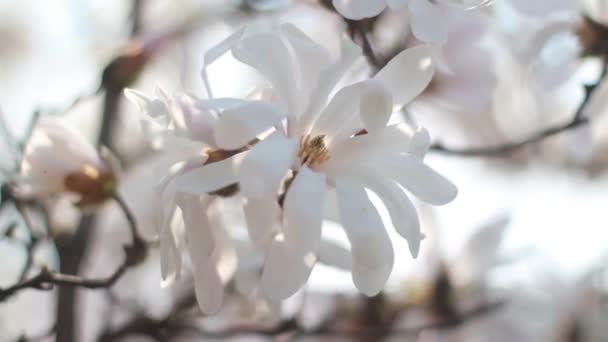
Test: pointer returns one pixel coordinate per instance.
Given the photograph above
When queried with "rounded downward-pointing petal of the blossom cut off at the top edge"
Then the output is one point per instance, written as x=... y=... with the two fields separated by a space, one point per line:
x=428 y=22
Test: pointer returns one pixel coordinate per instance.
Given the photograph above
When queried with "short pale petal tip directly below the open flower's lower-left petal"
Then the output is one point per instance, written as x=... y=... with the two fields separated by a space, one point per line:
x=262 y=217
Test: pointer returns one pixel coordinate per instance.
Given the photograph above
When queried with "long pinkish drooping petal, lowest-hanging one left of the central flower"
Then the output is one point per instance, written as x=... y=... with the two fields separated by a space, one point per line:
x=200 y=242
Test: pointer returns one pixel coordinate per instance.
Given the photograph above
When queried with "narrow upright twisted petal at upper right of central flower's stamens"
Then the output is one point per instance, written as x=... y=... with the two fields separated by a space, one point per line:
x=349 y=54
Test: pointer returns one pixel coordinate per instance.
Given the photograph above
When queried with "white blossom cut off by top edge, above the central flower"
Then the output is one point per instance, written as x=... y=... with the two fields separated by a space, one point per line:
x=427 y=18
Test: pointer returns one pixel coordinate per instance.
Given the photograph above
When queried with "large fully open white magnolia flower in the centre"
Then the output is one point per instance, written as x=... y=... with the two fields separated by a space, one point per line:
x=307 y=140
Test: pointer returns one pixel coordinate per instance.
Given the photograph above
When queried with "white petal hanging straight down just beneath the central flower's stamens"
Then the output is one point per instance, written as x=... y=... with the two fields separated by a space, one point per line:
x=303 y=211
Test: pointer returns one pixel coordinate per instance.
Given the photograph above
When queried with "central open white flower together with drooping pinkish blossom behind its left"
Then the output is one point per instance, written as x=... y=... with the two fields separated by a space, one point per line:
x=286 y=148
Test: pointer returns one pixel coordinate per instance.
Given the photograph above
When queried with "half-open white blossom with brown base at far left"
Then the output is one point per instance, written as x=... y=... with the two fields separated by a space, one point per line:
x=59 y=160
